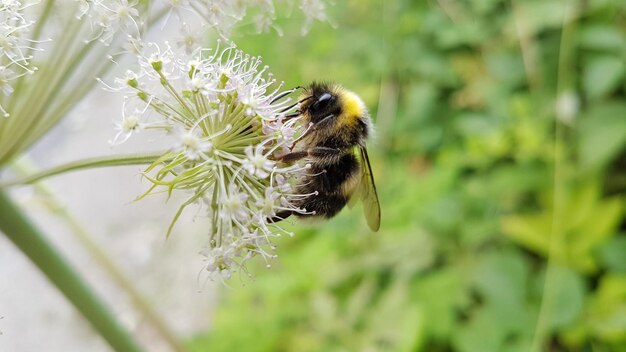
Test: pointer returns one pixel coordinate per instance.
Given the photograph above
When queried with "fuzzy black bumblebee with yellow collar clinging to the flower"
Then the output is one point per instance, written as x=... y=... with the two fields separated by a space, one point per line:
x=335 y=146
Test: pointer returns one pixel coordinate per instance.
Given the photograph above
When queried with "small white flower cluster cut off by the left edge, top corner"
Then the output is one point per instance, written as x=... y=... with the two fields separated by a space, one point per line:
x=14 y=45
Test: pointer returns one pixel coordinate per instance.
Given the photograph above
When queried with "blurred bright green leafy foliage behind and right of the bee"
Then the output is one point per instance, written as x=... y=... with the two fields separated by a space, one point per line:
x=501 y=166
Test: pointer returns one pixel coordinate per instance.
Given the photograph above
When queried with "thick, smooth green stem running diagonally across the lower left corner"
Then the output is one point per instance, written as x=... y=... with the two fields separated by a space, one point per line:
x=17 y=228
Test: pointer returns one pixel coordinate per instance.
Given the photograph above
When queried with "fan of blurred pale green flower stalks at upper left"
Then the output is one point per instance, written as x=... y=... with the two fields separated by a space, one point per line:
x=67 y=61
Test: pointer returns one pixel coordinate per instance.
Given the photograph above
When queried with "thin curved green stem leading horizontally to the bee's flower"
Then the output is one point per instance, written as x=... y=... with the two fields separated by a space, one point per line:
x=115 y=160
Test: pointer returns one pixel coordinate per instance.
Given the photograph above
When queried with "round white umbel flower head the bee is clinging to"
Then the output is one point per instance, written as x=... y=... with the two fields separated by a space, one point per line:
x=228 y=116
